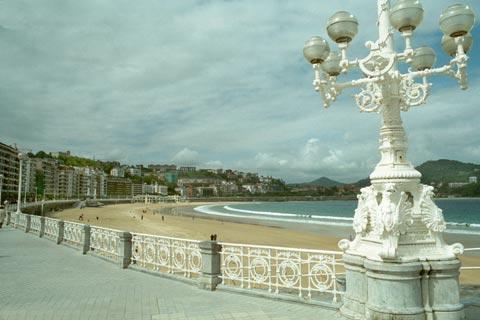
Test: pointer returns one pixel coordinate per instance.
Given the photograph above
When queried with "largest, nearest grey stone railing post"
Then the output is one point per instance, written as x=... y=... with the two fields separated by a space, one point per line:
x=210 y=273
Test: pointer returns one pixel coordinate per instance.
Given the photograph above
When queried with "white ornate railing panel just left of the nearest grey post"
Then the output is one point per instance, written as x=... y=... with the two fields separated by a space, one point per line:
x=166 y=254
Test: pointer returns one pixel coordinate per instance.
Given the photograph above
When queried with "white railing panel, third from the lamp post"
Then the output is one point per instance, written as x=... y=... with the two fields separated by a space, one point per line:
x=105 y=242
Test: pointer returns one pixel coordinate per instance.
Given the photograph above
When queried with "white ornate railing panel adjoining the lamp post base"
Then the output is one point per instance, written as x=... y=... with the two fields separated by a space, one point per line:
x=310 y=274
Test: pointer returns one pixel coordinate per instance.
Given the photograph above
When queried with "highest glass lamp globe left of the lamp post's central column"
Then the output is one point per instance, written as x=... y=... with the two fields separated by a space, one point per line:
x=342 y=27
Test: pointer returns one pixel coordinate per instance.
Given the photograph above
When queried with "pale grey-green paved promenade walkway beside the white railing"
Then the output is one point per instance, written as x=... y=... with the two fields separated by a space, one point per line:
x=42 y=280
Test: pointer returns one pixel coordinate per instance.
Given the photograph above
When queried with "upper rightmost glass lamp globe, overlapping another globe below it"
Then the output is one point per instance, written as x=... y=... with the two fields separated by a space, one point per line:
x=457 y=20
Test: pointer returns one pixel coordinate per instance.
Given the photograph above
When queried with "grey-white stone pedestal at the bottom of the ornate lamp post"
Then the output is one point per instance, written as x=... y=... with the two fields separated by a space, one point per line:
x=421 y=290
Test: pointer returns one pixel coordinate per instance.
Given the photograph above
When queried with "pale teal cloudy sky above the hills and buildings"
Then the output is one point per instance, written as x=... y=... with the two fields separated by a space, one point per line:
x=217 y=84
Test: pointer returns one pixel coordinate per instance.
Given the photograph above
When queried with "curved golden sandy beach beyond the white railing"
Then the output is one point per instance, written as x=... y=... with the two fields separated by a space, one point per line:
x=180 y=220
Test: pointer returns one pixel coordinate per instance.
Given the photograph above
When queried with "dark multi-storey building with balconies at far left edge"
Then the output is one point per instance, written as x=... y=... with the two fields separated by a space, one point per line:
x=9 y=166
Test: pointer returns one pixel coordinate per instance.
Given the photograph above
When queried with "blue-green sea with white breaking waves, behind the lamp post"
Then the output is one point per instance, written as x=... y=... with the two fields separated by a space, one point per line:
x=462 y=215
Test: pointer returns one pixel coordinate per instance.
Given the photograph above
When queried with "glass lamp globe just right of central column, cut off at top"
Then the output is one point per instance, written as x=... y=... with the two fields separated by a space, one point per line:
x=406 y=15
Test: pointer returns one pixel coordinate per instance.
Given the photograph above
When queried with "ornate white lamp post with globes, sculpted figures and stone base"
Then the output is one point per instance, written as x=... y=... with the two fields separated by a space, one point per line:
x=398 y=266
